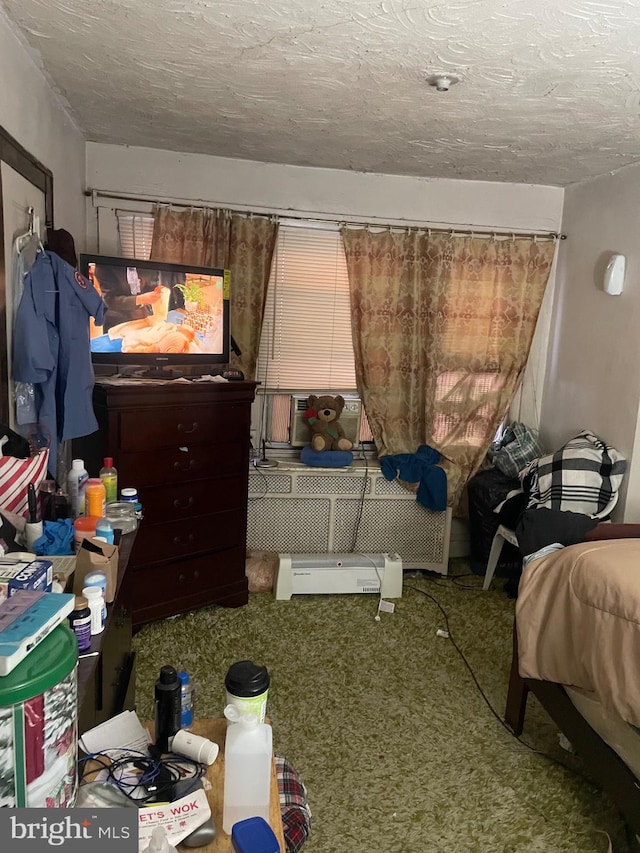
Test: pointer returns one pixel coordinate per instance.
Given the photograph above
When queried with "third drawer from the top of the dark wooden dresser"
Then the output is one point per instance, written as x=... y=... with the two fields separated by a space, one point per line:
x=200 y=497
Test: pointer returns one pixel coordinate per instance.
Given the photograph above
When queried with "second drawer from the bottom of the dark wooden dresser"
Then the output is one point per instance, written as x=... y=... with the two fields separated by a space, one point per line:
x=170 y=541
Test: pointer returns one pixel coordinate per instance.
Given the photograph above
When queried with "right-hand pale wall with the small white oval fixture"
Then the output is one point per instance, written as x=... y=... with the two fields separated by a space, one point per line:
x=593 y=372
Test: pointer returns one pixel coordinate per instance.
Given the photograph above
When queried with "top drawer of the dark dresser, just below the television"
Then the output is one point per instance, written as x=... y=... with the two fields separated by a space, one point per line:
x=171 y=426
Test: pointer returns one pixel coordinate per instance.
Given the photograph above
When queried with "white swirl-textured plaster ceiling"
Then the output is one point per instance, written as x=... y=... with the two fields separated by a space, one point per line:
x=549 y=91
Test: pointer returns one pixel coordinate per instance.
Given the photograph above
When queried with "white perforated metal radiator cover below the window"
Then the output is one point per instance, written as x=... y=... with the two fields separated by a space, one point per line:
x=315 y=511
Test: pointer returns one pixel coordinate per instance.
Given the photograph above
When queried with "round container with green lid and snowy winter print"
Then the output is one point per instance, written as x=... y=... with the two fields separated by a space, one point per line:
x=38 y=721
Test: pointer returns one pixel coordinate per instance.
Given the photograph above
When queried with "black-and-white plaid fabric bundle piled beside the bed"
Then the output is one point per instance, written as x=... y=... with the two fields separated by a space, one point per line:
x=580 y=477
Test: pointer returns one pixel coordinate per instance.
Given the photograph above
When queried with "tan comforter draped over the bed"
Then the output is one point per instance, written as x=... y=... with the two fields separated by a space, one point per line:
x=578 y=622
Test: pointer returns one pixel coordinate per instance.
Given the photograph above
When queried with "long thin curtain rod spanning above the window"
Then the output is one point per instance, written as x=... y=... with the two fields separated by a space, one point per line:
x=446 y=228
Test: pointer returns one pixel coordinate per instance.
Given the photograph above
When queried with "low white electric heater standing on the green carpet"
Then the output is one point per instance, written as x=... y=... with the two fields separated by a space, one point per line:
x=317 y=574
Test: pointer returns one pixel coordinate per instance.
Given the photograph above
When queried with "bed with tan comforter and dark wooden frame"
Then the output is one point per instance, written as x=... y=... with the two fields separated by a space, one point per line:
x=576 y=647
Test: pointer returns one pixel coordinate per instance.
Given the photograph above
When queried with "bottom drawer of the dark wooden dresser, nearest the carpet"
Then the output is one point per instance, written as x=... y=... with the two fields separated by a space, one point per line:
x=185 y=584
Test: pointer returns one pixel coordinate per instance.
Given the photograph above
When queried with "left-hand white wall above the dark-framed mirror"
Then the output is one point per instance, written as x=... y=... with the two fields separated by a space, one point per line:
x=32 y=114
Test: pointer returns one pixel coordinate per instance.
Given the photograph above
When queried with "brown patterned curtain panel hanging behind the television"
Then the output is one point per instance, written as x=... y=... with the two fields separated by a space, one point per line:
x=220 y=238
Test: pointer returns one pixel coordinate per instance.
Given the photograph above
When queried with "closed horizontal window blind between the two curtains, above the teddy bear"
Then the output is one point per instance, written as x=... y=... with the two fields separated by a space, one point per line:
x=306 y=338
